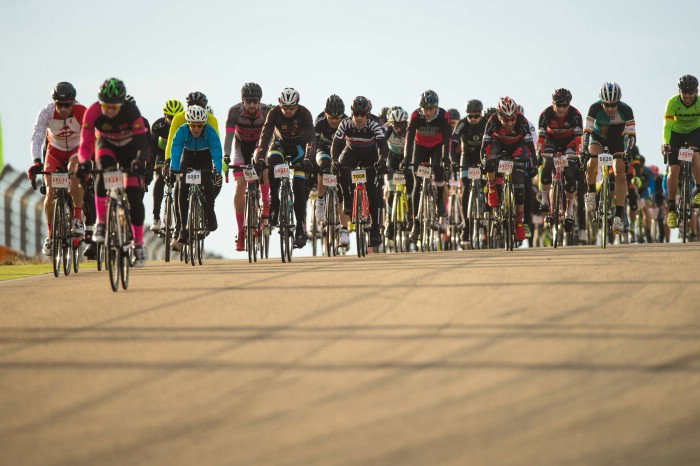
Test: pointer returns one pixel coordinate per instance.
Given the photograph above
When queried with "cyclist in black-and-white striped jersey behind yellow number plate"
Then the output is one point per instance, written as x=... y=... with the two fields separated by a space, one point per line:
x=360 y=140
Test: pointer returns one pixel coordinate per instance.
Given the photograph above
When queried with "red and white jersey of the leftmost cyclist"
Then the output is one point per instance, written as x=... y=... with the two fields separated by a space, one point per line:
x=62 y=134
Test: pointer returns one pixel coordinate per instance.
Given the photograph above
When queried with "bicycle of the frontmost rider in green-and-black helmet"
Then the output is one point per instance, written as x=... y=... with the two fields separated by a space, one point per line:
x=118 y=235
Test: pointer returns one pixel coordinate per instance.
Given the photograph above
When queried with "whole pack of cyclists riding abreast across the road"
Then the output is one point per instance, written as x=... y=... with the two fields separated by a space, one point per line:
x=70 y=137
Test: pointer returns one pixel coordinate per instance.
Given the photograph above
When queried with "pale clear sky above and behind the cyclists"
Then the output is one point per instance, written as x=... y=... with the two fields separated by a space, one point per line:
x=388 y=51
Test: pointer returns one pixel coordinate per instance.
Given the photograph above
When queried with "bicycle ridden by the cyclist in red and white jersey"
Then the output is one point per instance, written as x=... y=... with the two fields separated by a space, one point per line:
x=65 y=247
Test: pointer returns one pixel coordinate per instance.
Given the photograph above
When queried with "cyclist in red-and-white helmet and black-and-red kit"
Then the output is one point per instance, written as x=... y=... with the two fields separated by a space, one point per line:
x=509 y=131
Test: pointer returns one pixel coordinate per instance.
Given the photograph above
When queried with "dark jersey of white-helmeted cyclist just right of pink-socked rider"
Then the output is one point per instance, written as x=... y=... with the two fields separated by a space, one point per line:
x=297 y=130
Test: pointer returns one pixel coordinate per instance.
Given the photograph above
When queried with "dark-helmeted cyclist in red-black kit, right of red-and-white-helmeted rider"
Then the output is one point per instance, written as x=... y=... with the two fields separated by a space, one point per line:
x=560 y=130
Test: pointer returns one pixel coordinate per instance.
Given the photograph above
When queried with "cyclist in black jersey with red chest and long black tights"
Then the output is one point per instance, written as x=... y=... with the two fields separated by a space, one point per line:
x=428 y=140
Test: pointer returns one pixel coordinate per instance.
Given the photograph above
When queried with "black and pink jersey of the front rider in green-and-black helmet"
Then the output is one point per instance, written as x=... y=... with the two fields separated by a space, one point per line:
x=126 y=127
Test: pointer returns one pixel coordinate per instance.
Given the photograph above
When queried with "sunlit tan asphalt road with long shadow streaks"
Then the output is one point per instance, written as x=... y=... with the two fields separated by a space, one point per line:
x=536 y=357
